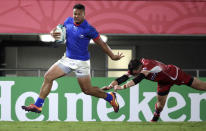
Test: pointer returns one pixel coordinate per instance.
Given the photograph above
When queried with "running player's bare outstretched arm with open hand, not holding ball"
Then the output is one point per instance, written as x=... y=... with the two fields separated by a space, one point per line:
x=108 y=50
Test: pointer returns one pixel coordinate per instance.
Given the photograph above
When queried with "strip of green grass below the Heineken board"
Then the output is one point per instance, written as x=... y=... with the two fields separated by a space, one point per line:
x=102 y=126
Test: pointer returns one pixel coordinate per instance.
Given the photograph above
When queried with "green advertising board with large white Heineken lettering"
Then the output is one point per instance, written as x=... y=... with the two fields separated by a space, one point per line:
x=66 y=102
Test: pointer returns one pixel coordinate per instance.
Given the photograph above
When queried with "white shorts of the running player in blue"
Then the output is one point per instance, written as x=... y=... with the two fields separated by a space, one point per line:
x=81 y=68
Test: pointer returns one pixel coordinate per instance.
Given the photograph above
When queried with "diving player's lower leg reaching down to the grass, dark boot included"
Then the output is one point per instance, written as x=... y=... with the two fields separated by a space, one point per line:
x=161 y=100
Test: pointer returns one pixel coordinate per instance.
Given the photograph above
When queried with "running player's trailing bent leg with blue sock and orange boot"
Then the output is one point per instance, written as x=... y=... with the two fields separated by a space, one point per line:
x=87 y=88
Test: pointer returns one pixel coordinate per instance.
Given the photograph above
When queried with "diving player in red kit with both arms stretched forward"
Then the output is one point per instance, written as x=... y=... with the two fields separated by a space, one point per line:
x=165 y=75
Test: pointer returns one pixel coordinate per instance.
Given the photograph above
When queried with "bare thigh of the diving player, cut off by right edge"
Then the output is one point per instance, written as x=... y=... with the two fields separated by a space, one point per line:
x=198 y=84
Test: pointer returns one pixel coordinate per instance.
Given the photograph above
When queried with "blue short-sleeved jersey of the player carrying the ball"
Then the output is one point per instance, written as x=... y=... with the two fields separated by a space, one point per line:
x=78 y=38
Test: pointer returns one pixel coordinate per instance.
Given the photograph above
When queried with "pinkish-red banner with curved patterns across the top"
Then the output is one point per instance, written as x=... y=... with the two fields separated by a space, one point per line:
x=128 y=17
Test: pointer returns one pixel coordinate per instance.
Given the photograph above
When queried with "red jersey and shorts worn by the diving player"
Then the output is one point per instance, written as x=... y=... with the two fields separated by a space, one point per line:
x=165 y=75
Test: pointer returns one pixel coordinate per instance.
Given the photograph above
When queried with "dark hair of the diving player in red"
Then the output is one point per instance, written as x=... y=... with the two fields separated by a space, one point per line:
x=133 y=65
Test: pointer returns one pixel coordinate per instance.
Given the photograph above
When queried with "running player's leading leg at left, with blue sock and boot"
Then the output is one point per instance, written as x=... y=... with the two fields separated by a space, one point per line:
x=53 y=73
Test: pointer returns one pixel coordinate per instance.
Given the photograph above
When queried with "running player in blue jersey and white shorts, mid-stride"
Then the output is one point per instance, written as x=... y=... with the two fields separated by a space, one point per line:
x=77 y=59
